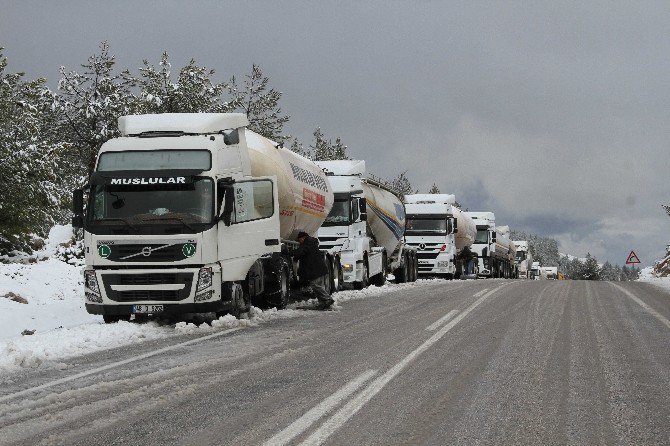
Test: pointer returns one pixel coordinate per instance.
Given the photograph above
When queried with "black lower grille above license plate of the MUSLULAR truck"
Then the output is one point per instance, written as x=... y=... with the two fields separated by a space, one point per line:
x=148 y=279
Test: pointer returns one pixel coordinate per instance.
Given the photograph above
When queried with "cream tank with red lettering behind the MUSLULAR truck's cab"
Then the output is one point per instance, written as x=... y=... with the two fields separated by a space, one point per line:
x=305 y=195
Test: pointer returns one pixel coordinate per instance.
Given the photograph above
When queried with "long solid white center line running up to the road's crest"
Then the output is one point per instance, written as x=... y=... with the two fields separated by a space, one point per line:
x=348 y=410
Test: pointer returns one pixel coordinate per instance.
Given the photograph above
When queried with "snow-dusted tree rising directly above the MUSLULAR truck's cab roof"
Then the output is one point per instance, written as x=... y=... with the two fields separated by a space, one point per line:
x=193 y=91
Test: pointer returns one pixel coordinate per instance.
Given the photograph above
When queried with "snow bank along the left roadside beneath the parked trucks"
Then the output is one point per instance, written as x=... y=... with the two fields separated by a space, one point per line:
x=61 y=327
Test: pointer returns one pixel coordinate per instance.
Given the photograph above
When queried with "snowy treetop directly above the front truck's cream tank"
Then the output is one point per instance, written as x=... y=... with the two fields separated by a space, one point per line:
x=260 y=103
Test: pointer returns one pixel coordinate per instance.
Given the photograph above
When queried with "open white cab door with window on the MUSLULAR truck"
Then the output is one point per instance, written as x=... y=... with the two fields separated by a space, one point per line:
x=249 y=224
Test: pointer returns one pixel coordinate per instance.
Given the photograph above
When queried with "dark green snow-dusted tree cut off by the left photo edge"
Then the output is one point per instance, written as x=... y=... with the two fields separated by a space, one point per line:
x=32 y=192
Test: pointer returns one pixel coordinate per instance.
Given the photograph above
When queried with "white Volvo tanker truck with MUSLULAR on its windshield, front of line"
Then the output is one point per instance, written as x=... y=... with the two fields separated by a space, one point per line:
x=193 y=213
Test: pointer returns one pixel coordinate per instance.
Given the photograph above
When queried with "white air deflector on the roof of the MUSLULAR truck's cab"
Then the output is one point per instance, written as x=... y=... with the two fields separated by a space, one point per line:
x=181 y=122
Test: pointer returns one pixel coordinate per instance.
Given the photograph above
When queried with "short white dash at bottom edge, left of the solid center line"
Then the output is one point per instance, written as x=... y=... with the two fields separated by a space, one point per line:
x=317 y=412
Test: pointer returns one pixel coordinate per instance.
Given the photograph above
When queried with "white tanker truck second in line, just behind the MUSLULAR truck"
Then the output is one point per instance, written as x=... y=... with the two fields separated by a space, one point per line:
x=365 y=229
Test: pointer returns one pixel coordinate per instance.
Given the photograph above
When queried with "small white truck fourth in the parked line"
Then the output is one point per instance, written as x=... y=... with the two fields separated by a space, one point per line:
x=495 y=251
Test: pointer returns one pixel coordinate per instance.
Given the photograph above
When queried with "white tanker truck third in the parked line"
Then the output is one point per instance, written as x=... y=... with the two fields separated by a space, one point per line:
x=440 y=231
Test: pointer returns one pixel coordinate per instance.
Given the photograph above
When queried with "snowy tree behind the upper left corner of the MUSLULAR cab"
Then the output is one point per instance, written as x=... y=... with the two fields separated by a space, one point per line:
x=90 y=103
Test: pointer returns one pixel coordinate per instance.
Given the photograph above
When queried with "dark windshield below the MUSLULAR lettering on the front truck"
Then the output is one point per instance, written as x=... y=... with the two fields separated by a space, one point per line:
x=133 y=205
